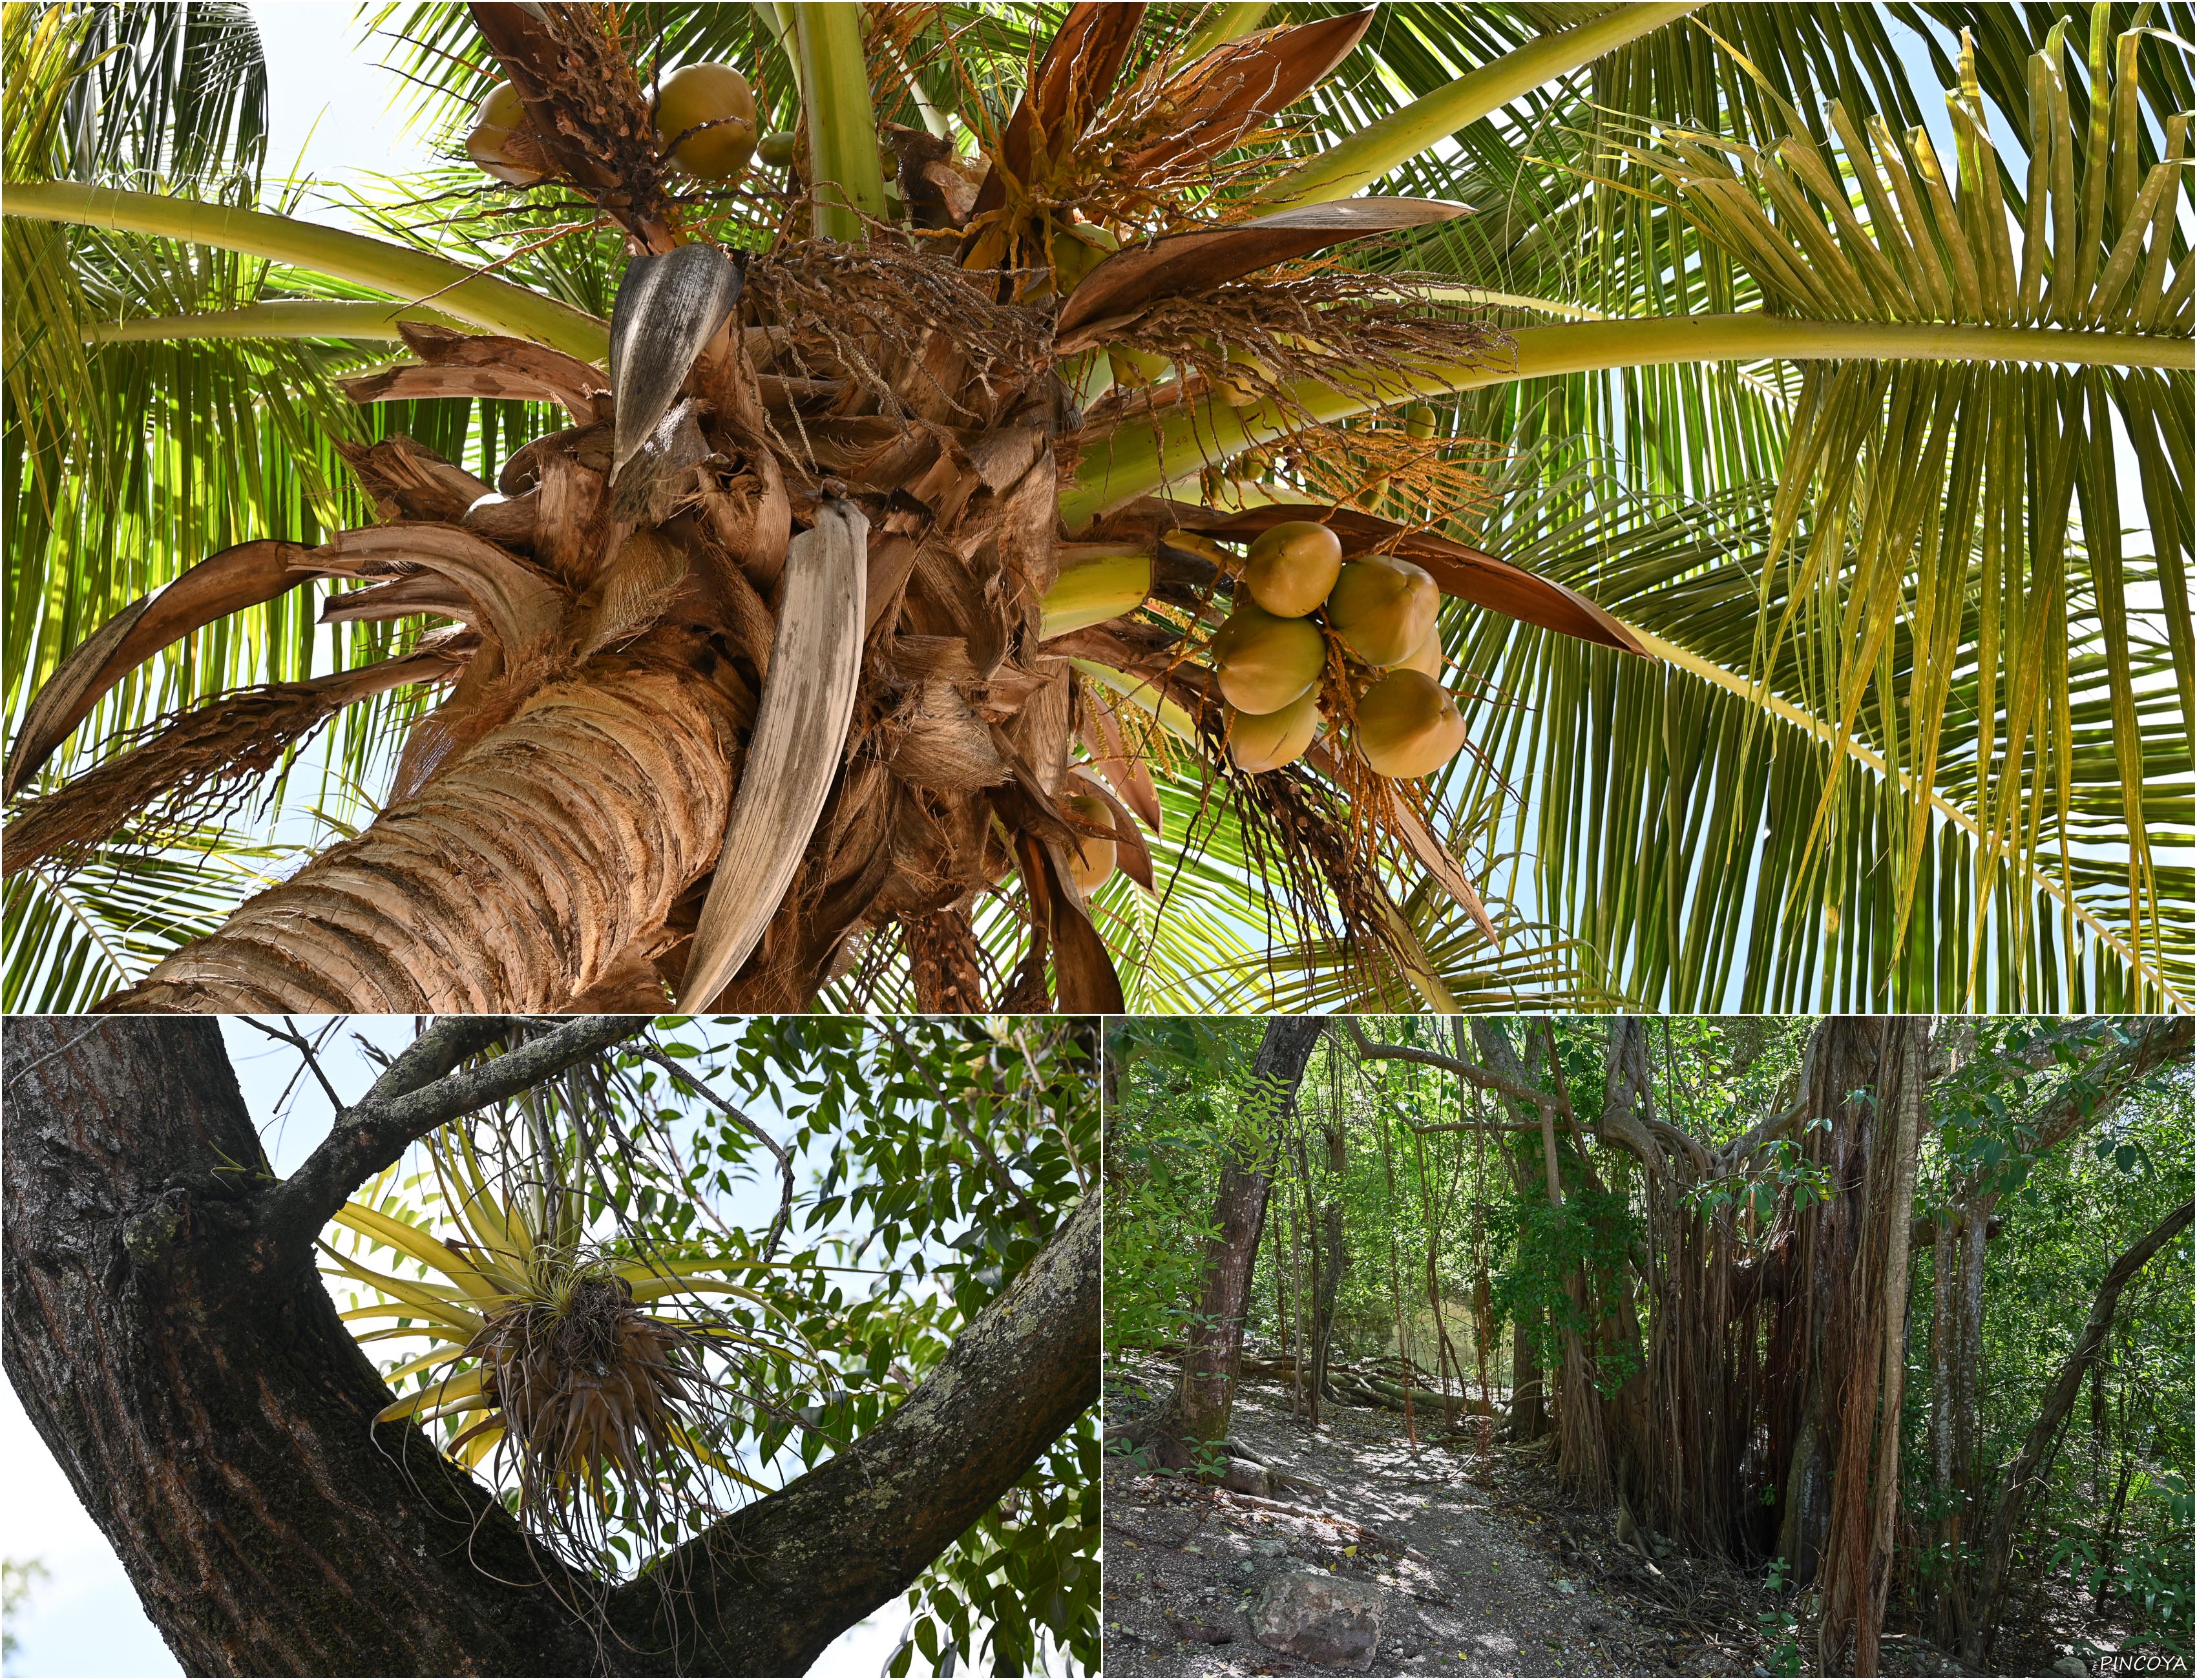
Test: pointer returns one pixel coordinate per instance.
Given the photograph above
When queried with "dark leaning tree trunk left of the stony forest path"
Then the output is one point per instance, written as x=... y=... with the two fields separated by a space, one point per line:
x=1216 y=1341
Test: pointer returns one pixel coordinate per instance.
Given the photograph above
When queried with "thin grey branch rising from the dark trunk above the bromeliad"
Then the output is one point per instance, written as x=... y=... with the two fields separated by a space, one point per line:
x=416 y=1095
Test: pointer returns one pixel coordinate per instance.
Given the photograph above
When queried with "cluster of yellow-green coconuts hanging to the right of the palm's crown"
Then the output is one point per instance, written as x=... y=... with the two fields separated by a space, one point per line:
x=1271 y=656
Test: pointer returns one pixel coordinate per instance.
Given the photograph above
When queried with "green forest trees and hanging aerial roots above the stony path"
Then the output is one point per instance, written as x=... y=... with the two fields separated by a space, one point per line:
x=1895 y=1314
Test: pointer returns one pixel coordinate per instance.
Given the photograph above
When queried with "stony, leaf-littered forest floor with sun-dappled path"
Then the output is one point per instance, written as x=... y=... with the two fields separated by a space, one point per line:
x=1480 y=1563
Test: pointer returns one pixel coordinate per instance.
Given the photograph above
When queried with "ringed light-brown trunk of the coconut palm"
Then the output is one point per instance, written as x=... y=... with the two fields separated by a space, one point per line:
x=520 y=880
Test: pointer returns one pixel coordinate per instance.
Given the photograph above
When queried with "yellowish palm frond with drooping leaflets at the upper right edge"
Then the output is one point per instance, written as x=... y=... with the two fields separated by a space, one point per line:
x=1939 y=500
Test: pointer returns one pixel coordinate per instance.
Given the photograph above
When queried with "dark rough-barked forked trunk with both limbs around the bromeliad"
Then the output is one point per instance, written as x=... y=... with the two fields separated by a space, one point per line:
x=175 y=1347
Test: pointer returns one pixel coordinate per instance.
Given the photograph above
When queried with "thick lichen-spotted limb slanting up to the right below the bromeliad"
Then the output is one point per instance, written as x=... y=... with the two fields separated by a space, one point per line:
x=779 y=1580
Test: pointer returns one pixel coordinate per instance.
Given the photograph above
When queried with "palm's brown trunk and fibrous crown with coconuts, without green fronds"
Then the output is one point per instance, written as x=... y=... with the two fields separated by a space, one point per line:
x=781 y=656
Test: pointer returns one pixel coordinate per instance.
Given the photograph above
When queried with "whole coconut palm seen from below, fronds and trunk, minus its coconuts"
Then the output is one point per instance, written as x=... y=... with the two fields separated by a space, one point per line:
x=1803 y=475
